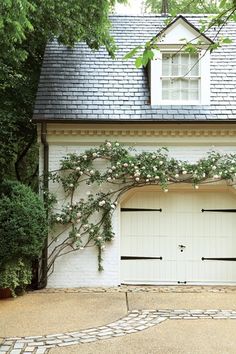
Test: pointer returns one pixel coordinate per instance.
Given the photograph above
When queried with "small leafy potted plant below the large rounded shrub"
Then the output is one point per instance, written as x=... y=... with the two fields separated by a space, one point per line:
x=16 y=275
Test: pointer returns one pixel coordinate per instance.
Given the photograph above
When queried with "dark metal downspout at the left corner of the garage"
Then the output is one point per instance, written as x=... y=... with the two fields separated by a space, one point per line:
x=44 y=260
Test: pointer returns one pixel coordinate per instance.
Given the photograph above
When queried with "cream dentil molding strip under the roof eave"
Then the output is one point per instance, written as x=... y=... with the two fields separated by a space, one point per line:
x=144 y=132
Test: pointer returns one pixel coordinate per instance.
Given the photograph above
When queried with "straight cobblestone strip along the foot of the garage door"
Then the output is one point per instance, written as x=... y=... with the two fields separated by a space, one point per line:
x=139 y=289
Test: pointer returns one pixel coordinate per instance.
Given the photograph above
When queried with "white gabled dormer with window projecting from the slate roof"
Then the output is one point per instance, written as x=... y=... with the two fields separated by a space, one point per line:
x=178 y=77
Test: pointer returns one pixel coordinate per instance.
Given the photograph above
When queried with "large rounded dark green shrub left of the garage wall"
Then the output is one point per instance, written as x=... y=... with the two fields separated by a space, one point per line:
x=23 y=225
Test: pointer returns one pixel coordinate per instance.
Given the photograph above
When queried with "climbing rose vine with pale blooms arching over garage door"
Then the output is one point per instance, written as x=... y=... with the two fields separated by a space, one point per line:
x=89 y=220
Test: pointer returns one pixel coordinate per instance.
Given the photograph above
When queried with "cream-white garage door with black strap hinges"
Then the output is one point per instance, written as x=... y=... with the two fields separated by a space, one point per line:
x=181 y=244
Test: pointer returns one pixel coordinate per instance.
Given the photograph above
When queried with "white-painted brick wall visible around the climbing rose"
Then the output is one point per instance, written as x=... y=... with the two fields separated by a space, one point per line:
x=81 y=267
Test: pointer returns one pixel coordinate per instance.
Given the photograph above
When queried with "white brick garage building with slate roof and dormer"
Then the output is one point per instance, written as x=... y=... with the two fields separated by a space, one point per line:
x=185 y=102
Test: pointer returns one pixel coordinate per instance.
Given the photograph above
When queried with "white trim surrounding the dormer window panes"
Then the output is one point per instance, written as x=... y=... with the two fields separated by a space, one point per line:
x=156 y=86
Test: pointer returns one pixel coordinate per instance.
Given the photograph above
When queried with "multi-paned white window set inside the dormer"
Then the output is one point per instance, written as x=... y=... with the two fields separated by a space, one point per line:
x=180 y=77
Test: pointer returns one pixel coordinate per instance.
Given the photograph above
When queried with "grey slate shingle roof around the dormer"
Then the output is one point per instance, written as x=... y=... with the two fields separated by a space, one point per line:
x=79 y=84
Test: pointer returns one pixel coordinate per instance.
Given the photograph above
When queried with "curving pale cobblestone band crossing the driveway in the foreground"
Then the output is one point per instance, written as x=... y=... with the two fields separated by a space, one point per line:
x=134 y=322
